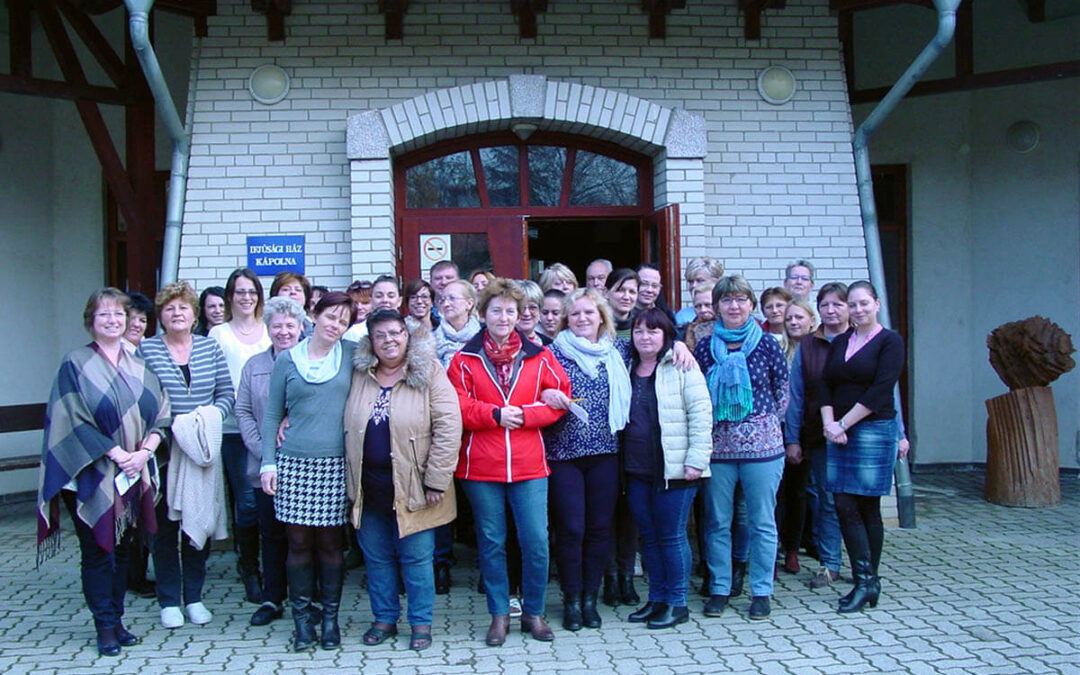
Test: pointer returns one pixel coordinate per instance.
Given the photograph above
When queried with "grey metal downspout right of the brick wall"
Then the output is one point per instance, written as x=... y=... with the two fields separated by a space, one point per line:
x=947 y=26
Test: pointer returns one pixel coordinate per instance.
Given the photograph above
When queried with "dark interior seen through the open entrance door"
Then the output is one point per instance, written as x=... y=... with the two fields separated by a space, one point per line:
x=578 y=242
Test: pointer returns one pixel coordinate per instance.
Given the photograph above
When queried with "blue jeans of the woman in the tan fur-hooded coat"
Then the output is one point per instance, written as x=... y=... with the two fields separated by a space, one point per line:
x=386 y=555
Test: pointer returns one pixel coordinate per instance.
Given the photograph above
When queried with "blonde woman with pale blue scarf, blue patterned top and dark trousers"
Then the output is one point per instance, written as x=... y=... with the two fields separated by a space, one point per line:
x=584 y=455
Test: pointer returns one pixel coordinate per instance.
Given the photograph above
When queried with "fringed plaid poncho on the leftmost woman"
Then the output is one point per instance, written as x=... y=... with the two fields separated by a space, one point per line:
x=96 y=407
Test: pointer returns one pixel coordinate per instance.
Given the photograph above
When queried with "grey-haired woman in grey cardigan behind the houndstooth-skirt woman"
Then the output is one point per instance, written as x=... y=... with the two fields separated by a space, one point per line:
x=285 y=319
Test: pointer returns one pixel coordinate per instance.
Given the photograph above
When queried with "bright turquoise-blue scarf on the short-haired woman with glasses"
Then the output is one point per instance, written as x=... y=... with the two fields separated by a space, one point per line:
x=730 y=379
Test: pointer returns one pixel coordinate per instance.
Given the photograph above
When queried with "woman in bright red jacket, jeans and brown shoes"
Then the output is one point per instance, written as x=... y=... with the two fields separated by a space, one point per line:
x=499 y=376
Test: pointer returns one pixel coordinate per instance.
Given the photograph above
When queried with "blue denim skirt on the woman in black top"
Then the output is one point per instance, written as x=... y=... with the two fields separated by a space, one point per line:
x=865 y=466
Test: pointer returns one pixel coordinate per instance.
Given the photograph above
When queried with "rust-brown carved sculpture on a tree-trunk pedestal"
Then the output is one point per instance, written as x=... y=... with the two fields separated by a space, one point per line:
x=1022 y=465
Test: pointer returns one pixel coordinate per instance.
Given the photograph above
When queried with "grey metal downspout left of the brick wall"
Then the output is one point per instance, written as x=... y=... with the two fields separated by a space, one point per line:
x=139 y=21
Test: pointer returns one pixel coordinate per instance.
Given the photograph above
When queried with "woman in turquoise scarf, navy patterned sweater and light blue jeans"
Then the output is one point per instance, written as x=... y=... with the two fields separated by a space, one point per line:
x=748 y=382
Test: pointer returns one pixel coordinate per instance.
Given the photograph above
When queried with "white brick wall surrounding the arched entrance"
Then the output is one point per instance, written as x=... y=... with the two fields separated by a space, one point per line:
x=778 y=182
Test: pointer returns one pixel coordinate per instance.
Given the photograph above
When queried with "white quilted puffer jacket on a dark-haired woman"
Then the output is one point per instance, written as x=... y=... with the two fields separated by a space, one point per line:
x=686 y=420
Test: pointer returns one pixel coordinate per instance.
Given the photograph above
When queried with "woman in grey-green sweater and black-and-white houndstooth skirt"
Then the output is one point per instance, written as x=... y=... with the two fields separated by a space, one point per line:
x=306 y=476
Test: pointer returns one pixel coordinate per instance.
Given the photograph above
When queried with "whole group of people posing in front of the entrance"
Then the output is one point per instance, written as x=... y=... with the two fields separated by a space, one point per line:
x=380 y=411
